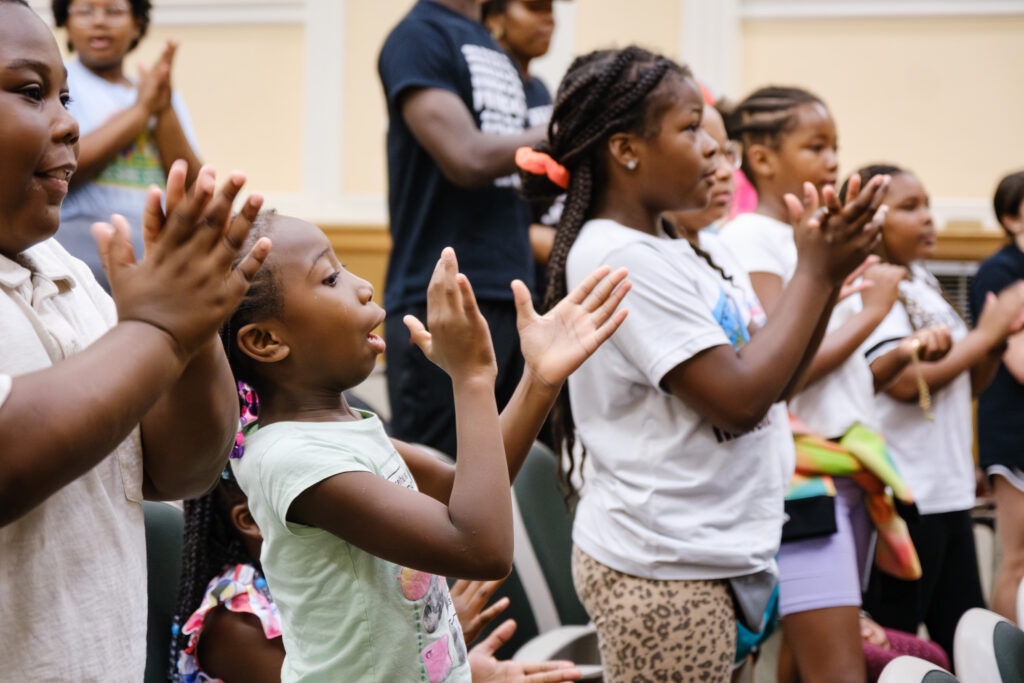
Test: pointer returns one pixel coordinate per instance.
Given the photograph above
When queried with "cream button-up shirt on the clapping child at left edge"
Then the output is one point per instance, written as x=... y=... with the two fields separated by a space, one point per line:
x=73 y=575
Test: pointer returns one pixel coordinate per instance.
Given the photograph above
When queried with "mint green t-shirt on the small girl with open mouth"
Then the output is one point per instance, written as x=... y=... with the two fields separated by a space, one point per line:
x=347 y=615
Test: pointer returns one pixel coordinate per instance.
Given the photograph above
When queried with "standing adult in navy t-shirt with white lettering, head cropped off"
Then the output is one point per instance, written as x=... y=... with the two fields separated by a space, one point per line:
x=457 y=113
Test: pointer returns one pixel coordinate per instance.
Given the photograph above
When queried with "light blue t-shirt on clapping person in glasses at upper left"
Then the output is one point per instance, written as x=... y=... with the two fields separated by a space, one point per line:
x=122 y=186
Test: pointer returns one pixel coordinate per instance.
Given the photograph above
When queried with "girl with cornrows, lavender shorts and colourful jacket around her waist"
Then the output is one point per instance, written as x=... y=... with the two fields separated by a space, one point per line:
x=789 y=140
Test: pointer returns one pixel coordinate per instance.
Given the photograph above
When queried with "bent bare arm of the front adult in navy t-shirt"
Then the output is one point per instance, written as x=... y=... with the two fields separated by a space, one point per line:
x=467 y=157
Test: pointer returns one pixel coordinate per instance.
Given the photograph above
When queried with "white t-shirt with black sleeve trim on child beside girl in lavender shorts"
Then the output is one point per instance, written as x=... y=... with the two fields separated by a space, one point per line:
x=935 y=458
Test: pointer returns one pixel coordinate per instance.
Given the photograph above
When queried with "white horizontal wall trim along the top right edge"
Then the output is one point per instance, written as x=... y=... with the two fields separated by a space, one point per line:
x=774 y=10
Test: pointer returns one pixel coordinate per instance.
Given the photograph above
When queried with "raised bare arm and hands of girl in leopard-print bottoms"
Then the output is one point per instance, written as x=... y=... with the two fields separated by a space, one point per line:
x=763 y=369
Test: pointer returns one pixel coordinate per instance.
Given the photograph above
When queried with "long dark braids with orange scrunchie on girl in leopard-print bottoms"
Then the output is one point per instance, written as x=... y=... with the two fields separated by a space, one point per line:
x=604 y=93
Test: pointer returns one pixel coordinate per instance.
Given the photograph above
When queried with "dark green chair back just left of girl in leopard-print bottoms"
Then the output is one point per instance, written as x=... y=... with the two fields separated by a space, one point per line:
x=548 y=526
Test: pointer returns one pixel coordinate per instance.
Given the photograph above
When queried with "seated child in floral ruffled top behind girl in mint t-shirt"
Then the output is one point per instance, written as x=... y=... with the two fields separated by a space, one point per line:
x=234 y=631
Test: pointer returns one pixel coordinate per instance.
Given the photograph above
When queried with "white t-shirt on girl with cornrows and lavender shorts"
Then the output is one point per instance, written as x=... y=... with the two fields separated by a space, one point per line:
x=834 y=404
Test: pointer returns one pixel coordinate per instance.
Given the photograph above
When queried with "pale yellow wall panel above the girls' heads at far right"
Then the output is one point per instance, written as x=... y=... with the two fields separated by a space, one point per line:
x=940 y=96
